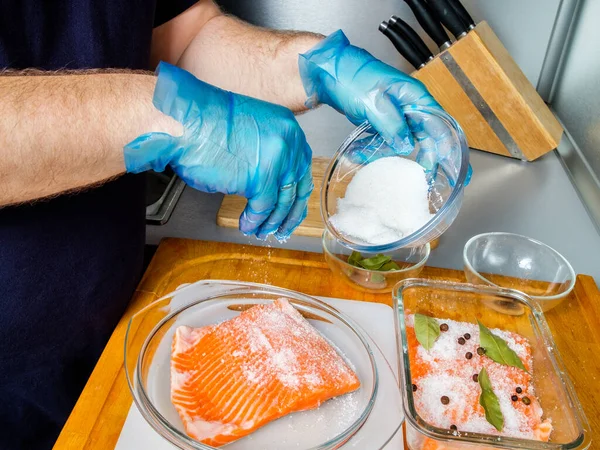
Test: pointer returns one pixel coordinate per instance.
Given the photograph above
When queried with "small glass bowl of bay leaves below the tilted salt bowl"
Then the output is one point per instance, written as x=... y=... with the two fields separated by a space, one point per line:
x=411 y=261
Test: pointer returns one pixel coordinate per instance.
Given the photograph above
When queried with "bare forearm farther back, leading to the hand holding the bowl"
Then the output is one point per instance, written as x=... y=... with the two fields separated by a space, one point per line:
x=250 y=60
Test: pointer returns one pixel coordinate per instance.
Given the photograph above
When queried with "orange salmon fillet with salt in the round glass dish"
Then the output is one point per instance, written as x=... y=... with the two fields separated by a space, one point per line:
x=229 y=379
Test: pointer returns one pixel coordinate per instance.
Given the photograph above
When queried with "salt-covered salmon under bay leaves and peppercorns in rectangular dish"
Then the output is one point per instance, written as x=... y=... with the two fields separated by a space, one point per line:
x=444 y=370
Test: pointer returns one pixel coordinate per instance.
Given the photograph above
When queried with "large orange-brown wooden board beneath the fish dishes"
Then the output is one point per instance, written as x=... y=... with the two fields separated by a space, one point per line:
x=100 y=413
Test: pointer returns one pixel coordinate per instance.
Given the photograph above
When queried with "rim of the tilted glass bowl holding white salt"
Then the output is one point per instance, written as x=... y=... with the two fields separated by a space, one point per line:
x=440 y=215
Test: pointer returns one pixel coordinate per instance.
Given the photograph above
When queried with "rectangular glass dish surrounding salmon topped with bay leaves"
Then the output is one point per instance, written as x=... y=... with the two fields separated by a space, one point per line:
x=507 y=310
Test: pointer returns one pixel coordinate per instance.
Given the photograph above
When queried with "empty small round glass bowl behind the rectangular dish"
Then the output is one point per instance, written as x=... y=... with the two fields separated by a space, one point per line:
x=518 y=262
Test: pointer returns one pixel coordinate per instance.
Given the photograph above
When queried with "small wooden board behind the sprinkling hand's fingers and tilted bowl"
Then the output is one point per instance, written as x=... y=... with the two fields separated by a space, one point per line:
x=233 y=205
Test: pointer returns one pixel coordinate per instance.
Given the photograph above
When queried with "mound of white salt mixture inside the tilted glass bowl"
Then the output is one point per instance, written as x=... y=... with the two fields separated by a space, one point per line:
x=385 y=201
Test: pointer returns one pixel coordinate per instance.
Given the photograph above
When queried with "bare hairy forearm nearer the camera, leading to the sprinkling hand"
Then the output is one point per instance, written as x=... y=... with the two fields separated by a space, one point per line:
x=61 y=132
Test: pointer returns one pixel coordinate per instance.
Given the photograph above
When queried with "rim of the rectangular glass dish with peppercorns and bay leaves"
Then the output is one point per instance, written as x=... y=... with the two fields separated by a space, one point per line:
x=410 y=413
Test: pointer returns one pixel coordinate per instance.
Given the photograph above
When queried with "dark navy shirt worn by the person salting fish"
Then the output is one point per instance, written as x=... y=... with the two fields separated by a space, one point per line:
x=68 y=266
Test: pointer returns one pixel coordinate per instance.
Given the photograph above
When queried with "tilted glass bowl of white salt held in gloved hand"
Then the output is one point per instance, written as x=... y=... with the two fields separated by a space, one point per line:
x=447 y=174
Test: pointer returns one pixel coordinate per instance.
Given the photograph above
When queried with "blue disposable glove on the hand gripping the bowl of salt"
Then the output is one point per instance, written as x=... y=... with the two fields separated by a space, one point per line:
x=357 y=84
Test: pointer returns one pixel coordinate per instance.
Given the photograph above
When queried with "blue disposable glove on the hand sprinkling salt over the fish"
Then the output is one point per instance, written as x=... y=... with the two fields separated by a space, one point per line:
x=231 y=144
